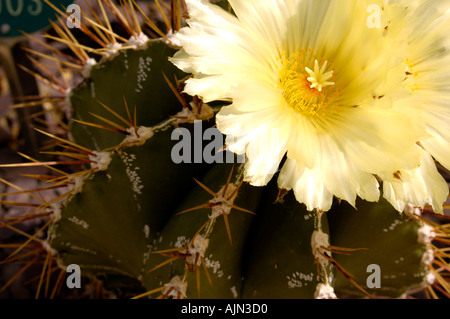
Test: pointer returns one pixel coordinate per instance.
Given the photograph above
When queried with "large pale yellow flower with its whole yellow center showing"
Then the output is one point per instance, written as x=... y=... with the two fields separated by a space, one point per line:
x=313 y=72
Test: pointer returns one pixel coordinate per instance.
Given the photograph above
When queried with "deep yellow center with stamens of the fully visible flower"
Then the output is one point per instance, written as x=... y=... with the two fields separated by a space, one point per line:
x=307 y=83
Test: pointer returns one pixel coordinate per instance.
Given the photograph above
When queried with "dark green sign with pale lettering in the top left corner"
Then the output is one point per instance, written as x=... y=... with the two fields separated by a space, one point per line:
x=27 y=15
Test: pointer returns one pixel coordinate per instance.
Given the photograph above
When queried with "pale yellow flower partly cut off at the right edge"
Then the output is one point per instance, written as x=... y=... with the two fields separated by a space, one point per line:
x=423 y=44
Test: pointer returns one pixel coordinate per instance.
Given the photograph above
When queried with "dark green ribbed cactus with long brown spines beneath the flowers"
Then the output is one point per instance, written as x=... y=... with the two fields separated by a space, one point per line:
x=147 y=226
